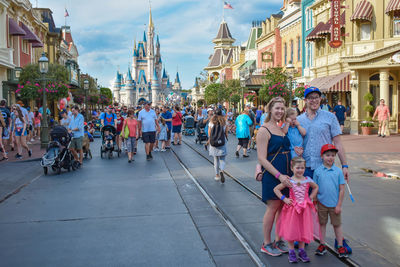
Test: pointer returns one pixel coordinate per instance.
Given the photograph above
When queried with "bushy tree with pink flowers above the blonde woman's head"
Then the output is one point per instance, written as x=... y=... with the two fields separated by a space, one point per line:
x=276 y=82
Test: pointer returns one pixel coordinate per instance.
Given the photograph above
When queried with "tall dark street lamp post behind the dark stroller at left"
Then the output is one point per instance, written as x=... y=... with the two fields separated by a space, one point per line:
x=44 y=68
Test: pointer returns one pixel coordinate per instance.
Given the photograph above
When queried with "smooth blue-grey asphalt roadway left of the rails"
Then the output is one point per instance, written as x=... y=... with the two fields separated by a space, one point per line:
x=109 y=213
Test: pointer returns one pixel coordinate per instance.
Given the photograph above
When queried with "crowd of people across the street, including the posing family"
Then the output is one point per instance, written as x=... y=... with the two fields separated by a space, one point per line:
x=295 y=150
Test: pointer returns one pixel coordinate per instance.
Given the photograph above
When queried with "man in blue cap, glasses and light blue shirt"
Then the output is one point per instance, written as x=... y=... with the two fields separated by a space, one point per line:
x=322 y=127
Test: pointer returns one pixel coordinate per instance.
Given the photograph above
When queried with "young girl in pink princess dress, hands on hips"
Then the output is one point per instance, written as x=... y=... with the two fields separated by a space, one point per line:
x=295 y=222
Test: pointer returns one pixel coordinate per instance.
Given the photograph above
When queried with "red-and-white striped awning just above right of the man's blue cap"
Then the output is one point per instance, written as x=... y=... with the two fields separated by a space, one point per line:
x=333 y=83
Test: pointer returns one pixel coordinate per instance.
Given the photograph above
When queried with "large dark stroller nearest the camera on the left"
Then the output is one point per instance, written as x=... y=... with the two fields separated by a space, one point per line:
x=58 y=155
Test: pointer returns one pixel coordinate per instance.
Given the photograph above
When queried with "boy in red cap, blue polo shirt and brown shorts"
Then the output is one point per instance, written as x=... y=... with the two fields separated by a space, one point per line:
x=331 y=183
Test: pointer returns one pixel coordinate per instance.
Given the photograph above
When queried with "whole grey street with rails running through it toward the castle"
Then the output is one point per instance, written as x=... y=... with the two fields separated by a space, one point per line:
x=111 y=212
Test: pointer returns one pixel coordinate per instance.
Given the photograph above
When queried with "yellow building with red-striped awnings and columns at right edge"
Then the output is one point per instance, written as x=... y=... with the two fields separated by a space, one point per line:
x=367 y=61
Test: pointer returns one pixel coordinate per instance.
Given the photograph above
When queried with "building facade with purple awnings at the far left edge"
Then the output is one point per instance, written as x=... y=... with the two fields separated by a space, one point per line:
x=22 y=34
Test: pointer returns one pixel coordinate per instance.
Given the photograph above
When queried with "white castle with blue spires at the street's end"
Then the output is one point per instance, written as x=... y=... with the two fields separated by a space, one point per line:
x=146 y=80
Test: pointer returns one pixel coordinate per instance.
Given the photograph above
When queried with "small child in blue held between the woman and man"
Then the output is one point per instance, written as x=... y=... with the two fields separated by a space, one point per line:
x=295 y=133
